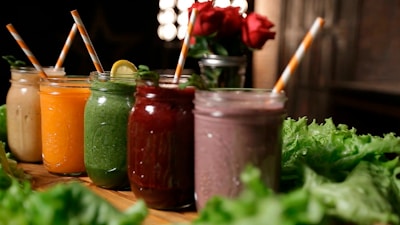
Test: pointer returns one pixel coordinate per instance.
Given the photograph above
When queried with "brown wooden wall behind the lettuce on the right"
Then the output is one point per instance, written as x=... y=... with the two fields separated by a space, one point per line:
x=352 y=71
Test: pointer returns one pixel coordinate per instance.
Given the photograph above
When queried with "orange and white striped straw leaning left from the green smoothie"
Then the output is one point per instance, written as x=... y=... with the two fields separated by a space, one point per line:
x=88 y=42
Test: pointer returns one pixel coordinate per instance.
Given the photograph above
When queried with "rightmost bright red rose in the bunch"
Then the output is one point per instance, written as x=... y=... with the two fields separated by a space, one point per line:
x=255 y=31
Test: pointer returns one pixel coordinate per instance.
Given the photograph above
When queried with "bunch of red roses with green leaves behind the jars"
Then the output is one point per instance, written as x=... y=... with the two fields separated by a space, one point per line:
x=224 y=31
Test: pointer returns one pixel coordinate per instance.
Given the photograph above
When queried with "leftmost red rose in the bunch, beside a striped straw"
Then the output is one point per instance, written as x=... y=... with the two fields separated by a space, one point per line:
x=208 y=18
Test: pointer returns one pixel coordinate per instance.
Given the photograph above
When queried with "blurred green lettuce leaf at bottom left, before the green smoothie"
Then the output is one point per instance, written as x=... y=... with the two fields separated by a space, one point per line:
x=73 y=203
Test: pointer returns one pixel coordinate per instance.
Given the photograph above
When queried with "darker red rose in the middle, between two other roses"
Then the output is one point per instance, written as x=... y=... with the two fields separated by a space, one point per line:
x=232 y=21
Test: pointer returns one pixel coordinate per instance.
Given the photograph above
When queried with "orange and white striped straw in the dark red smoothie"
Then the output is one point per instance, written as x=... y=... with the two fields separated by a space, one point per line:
x=185 y=46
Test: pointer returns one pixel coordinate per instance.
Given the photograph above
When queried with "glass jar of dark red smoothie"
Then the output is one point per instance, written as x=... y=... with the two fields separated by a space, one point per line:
x=161 y=145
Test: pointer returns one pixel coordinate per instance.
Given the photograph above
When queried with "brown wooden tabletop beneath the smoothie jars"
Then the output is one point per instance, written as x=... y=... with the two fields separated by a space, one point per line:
x=41 y=179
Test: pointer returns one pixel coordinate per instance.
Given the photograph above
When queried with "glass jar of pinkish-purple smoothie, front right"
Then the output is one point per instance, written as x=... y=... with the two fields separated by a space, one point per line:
x=233 y=128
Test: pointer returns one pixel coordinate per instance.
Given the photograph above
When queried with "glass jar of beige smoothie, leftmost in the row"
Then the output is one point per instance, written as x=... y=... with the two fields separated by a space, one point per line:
x=23 y=114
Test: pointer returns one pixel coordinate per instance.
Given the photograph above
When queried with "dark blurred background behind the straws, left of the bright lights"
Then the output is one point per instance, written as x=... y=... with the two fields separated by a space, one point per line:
x=118 y=30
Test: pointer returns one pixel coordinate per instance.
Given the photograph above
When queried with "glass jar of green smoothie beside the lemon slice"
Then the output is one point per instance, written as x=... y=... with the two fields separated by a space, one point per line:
x=105 y=129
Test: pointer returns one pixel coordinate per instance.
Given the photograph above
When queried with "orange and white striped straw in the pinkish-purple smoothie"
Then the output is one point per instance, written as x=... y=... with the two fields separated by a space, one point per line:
x=296 y=58
